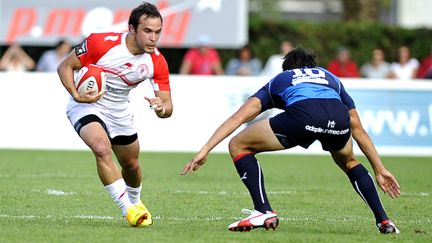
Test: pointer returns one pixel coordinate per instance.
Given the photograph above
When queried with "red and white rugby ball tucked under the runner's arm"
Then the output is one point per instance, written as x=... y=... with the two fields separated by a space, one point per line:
x=91 y=77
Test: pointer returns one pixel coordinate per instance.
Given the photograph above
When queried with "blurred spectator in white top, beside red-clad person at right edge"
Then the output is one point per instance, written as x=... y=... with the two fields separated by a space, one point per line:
x=406 y=67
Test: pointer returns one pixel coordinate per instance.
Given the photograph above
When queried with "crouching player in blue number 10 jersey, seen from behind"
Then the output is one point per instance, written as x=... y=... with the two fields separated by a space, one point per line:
x=316 y=107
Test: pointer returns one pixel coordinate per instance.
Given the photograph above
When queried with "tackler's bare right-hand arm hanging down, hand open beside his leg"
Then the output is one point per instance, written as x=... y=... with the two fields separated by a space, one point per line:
x=384 y=178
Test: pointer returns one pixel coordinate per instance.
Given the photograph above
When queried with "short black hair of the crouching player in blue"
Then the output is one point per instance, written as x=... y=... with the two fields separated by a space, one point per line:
x=299 y=58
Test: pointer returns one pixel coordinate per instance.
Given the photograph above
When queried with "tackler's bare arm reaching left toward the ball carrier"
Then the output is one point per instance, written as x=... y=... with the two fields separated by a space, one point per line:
x=246 y=112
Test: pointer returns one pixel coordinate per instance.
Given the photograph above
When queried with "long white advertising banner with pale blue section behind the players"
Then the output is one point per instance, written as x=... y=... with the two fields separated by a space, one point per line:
x=396 y=114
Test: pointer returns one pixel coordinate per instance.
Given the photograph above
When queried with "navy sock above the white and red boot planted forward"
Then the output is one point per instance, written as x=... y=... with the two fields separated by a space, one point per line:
x=251 y=174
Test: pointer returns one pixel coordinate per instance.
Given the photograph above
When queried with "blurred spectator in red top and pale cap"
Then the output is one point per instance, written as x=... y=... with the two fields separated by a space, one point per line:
x=202 y=60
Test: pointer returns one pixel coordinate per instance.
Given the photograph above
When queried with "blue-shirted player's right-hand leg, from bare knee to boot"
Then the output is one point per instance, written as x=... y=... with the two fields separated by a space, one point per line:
x=364 y=185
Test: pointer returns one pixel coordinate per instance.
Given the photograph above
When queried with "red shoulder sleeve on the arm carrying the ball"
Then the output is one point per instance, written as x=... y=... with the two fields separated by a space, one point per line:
x=97 y=45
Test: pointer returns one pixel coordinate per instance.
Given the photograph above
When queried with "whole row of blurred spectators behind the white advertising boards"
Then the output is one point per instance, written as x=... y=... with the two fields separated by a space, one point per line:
x=203 y=59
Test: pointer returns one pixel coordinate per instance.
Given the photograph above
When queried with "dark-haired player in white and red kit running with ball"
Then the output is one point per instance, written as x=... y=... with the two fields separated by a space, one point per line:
x=104 y=121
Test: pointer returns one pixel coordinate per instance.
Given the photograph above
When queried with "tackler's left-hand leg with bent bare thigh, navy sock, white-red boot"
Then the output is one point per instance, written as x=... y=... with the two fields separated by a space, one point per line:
x=258 y=137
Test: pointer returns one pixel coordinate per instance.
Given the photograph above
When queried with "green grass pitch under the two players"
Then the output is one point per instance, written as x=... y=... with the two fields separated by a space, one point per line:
x=56 y=196
